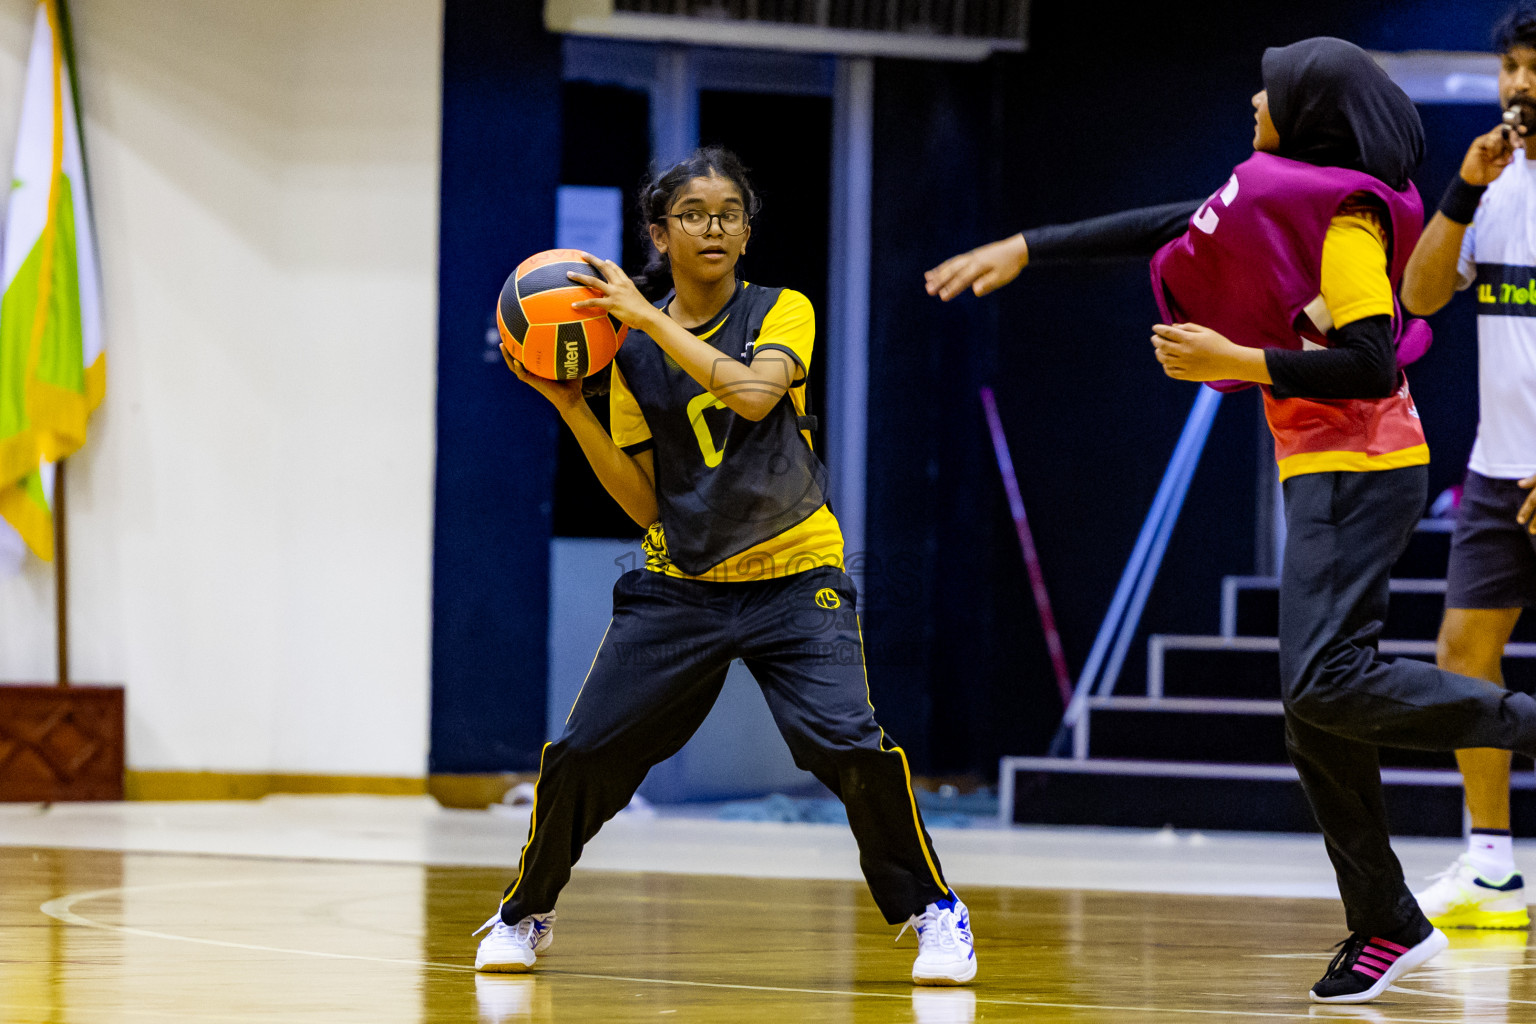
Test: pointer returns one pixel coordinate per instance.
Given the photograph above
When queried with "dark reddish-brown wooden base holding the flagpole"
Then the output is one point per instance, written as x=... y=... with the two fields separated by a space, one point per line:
x=61 y=744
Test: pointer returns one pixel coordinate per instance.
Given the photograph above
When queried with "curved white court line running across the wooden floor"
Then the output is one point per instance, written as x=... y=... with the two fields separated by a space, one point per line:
x=62 y=910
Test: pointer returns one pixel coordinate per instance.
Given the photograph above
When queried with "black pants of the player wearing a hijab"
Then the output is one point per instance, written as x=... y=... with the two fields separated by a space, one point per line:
x=1343 y=701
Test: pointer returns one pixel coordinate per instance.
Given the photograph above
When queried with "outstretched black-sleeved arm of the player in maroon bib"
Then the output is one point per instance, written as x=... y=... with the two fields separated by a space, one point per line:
x=988 y=268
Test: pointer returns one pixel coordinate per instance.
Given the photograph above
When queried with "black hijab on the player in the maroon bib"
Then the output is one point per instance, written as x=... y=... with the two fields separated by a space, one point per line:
x=1334 y=107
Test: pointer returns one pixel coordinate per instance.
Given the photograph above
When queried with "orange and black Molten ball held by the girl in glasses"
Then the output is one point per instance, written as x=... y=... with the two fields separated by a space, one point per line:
x=541 y=329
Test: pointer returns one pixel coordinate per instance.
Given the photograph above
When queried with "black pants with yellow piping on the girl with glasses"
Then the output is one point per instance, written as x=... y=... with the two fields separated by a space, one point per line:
x=657 y=676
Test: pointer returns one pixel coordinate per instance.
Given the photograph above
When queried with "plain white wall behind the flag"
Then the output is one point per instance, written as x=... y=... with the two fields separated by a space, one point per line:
x=251 y=521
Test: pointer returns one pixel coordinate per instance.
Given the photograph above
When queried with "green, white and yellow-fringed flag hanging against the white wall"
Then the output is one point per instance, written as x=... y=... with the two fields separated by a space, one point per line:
x=53 y=368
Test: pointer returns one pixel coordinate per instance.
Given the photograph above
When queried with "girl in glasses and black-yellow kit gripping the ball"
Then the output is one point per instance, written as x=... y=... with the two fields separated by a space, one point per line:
x=744 y=561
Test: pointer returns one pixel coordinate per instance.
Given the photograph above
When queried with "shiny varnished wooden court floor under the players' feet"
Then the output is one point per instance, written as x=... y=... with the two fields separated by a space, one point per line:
x=99 y=936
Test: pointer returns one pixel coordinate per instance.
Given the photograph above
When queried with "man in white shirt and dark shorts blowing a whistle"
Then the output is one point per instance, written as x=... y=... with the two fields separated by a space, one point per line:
x=1485 y=239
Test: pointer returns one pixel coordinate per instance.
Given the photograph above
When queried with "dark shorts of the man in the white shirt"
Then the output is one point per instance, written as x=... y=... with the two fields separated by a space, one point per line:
x=1492 y=558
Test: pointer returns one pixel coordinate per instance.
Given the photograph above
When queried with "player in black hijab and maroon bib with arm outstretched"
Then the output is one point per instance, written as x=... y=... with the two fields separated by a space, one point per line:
x=1306 y=243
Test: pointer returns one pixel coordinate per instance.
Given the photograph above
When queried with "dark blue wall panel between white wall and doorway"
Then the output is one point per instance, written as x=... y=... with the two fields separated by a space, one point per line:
x=497 y=438
